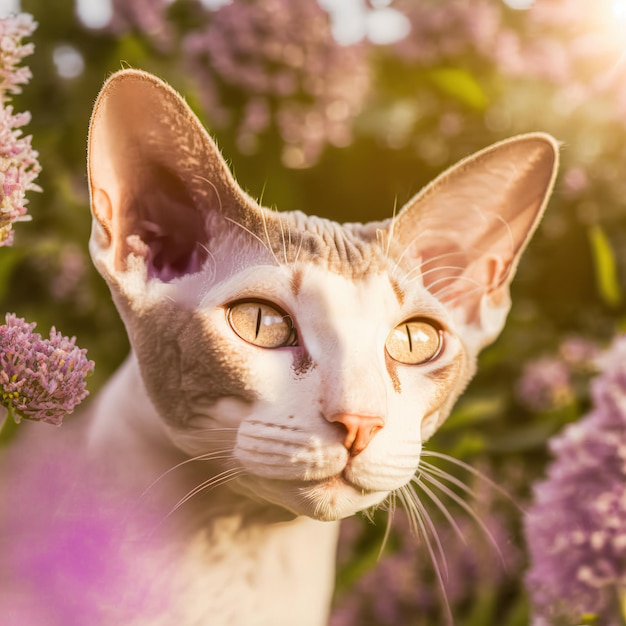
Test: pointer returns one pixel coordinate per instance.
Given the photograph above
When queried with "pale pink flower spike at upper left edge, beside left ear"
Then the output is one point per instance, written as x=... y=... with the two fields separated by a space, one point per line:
x=19 y=166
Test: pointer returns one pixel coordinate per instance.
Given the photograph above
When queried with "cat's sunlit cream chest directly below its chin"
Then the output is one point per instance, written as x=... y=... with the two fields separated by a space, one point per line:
x=260 y=576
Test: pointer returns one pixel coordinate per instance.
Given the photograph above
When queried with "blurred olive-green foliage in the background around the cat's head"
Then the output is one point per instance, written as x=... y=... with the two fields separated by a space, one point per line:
x=420 y=117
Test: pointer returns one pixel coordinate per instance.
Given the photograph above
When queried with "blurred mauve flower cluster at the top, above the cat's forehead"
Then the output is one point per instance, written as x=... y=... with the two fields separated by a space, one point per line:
x=281 y=55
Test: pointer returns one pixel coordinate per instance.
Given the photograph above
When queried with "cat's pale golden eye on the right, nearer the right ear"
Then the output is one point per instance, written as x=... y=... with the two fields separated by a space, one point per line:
x=414 y=342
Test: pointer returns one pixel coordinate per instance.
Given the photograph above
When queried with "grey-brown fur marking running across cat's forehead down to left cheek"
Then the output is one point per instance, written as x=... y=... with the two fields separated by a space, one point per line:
x=185 y=362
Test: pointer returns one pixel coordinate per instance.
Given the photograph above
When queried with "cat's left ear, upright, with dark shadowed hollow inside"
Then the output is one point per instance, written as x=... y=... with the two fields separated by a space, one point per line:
x=160 y=190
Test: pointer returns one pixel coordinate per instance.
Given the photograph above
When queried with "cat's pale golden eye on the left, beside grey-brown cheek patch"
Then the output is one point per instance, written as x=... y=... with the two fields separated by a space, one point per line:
x=262 y=324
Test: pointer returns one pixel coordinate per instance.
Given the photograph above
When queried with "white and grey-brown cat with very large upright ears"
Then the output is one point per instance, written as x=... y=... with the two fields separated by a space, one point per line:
x=285 y=372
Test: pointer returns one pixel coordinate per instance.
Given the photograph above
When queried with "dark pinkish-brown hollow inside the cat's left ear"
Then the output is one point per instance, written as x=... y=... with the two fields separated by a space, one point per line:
x=158 y=219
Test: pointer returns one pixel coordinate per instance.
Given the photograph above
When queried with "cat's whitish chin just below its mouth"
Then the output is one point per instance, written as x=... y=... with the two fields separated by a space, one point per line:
x=326 y=500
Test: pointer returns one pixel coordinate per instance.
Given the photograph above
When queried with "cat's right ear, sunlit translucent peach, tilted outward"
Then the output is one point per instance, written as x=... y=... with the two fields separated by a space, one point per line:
x=465 y=232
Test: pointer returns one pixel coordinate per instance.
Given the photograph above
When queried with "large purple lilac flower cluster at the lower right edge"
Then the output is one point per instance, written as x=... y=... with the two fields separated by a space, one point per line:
x=576 y=528
